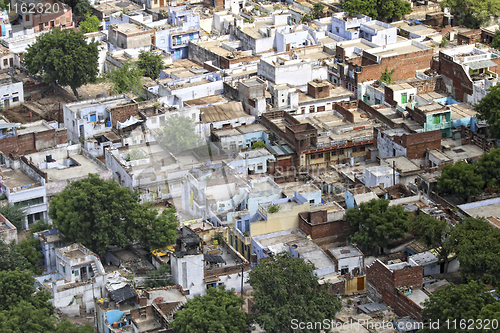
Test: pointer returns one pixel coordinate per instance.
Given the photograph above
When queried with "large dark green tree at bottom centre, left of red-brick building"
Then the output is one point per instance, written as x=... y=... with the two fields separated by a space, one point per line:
x=286 y=288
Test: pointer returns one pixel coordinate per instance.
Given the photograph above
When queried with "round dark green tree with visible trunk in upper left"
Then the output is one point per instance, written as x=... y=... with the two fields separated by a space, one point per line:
x=64 y=58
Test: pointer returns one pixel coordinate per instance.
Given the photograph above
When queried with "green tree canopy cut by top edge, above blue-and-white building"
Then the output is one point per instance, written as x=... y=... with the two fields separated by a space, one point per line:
x=385 y=10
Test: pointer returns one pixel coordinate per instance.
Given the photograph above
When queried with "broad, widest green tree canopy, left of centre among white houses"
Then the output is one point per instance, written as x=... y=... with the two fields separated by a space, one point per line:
x=113 y=214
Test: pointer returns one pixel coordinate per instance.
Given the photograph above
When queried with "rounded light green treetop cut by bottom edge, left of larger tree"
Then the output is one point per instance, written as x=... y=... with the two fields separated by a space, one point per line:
x=218 y=311
